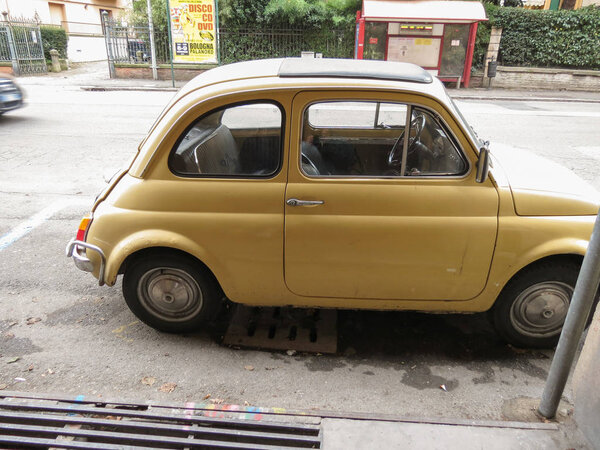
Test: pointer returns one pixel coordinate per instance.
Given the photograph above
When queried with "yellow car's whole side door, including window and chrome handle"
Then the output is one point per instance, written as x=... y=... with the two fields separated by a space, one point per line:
x=358 y=228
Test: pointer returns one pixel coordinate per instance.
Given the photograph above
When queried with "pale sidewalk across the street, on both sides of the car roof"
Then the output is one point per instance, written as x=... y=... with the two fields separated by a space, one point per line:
x=95 y=77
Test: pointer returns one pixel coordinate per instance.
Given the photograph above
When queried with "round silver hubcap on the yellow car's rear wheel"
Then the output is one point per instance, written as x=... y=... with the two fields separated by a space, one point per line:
x=170 y=294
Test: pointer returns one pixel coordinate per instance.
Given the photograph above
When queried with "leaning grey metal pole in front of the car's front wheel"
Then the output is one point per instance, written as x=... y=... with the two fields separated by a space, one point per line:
x=579 y=310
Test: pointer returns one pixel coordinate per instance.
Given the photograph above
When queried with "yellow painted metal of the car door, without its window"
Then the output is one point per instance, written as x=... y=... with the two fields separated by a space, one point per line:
x=378 y=238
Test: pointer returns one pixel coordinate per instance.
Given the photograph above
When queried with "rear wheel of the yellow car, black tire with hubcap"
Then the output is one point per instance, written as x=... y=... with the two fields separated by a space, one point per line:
x=171 y=293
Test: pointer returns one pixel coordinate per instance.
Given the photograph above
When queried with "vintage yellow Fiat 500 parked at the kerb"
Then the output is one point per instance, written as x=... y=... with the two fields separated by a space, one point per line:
x=335 y=184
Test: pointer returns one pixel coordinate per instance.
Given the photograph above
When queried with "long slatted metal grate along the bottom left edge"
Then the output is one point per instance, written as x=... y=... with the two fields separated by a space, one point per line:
x=50 y=424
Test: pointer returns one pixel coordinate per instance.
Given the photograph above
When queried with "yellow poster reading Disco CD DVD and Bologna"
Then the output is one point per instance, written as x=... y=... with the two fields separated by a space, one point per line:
x=194 y=30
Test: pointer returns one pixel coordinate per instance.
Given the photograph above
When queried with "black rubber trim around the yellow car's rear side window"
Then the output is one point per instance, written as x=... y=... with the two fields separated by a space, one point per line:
x=222 y=108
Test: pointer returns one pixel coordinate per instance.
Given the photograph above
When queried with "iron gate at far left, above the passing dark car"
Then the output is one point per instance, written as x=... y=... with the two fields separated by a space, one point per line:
x=21 y=44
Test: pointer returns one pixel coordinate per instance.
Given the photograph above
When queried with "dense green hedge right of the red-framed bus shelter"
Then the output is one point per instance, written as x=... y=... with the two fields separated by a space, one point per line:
x=539 y=38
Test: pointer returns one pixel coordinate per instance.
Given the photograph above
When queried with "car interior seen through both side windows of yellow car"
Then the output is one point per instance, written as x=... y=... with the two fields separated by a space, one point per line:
x=351 y=139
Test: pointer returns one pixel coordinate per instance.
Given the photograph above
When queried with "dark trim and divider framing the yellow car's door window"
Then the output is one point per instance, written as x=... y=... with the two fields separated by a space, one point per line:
x=410 y=106
